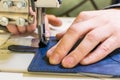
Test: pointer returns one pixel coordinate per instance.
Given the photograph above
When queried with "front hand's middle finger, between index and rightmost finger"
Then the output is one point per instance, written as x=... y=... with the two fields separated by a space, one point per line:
x=91 y=40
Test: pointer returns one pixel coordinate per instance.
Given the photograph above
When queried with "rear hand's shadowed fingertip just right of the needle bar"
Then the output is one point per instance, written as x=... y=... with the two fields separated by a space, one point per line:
x=53 y=20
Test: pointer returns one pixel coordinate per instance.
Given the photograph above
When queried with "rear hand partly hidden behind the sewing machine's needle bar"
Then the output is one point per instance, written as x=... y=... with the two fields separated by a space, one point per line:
x=30 y=28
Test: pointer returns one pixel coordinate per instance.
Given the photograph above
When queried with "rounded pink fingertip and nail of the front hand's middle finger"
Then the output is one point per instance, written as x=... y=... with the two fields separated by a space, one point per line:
x=68 y=62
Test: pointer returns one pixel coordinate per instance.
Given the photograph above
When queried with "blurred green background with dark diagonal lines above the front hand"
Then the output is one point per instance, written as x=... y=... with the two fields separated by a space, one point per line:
x=72 y=8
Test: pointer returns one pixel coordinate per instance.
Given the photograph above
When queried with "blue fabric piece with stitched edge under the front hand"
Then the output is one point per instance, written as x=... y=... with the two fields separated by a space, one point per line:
x=108 y=66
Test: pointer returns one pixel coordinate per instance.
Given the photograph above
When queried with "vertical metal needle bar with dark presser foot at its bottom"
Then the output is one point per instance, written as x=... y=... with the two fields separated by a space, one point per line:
x=41 y=27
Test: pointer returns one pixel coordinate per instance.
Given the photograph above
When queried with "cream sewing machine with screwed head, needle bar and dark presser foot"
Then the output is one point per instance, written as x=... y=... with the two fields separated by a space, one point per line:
x=17 y=12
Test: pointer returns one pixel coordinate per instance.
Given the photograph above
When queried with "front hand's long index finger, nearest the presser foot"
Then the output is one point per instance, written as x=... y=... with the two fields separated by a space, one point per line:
x=69 y=39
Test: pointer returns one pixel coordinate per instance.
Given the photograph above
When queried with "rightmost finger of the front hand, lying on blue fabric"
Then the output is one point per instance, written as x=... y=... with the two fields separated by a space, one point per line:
x=102 y=51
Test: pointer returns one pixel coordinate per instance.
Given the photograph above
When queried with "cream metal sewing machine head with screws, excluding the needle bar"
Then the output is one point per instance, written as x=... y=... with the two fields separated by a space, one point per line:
x=17 y=11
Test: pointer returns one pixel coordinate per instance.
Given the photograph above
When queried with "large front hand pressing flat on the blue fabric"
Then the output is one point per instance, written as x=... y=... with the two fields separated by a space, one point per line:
x=100 y=31
